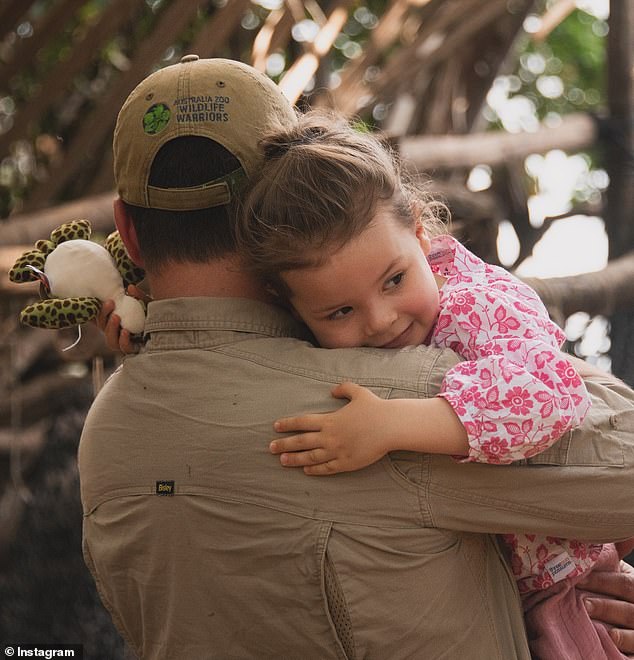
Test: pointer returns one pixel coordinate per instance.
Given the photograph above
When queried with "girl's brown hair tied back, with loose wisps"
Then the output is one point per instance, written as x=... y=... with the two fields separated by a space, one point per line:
x=320 y=187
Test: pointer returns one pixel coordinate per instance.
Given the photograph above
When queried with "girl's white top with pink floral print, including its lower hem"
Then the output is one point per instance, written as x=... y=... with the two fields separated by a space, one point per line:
x=515 y=393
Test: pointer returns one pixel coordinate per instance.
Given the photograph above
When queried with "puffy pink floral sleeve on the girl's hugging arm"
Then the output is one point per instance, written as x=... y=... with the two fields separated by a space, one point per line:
x=516 y=393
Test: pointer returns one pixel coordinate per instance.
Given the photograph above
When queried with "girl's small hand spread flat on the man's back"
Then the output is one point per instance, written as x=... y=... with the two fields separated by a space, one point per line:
x=349 y=439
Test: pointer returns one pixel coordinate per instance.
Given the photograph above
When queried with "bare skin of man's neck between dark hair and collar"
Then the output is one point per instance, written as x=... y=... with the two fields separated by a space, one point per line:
x=223 y=278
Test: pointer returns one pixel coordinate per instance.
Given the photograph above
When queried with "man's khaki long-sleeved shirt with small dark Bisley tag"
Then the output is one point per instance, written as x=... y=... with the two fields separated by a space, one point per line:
x=203 y=546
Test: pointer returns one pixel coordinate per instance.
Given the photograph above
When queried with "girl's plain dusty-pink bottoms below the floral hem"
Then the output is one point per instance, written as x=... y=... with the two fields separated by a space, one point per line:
x=558 y=624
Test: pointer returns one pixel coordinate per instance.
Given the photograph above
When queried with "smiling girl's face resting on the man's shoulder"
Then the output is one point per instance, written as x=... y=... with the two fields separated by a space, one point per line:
x=377 y=290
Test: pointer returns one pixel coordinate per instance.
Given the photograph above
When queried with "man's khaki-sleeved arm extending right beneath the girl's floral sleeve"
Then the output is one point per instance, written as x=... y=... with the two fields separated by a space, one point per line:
x=580 y=488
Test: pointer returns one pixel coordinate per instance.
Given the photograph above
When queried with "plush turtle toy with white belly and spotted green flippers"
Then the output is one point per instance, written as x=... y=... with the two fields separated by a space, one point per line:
x=76 y=275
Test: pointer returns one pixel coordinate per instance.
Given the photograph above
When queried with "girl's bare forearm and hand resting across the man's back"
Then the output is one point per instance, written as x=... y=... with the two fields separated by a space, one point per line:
x=365 y=429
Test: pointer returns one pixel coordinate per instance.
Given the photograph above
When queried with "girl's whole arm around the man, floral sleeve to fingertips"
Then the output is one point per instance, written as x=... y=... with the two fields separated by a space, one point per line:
x=514 y=396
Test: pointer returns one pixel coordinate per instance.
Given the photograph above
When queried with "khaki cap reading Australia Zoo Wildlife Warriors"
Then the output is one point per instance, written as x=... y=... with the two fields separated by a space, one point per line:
x=227 y=101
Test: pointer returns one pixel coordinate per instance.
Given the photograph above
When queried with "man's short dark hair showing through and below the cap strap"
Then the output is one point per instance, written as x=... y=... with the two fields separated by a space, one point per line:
x=180 y=236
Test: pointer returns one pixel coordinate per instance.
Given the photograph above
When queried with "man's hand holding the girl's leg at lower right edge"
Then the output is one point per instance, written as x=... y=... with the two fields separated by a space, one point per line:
x=616 y=608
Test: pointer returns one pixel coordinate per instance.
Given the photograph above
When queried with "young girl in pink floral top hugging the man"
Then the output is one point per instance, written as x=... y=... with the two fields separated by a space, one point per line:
x=338 y=236
